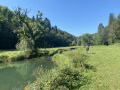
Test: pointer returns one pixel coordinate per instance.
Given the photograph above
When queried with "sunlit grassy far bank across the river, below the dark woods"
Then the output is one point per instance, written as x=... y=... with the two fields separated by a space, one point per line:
x=15 y=55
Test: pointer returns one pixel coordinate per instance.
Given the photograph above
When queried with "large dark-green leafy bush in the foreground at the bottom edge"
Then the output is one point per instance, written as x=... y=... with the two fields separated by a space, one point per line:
x=69 y=79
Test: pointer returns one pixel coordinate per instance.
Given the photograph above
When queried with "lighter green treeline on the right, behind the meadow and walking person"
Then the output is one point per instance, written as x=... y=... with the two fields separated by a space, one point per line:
x=106 y=35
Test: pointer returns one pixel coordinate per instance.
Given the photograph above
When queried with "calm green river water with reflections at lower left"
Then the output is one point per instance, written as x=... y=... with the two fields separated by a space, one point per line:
x=15 y=76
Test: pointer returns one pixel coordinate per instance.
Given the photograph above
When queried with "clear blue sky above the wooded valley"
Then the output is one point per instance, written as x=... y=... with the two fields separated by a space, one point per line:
x=77 y=17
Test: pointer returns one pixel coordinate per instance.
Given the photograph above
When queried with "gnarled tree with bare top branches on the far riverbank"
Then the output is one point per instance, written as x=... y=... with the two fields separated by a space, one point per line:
x=27 y=32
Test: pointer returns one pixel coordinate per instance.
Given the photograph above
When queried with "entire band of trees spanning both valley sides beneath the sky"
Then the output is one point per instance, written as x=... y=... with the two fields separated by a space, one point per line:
x=17 y=30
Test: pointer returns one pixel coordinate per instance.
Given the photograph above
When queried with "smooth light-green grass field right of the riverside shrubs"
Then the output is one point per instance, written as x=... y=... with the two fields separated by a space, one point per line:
x=106 y=60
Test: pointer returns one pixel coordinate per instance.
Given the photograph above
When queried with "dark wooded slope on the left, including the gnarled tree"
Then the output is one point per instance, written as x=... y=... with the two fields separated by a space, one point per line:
x=17 y=30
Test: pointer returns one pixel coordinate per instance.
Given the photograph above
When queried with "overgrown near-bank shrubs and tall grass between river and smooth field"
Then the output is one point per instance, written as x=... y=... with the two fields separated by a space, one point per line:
x=71 y=72
